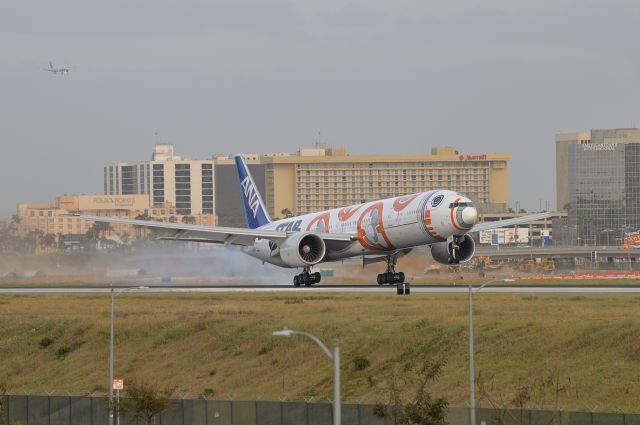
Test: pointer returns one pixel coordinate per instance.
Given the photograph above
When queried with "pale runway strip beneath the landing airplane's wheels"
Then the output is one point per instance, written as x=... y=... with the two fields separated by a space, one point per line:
x=390 y=290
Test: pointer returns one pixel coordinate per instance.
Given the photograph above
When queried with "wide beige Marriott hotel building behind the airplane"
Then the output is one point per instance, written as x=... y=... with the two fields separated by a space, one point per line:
x=322 y=178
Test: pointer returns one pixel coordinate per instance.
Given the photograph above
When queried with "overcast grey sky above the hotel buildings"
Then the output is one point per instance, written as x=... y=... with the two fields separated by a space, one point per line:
x=374 y=76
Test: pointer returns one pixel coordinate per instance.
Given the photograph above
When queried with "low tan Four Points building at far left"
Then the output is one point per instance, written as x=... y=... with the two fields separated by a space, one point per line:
x=54 y=219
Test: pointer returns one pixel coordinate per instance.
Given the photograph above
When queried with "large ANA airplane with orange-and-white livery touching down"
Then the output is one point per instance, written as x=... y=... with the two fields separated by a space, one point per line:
x=377 y=231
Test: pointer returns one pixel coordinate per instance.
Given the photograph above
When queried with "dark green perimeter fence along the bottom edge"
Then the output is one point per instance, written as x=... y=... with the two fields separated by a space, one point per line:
x=61 y=410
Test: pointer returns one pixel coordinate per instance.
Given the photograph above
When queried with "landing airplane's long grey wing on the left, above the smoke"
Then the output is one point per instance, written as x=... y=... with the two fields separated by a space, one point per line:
x=207 y=234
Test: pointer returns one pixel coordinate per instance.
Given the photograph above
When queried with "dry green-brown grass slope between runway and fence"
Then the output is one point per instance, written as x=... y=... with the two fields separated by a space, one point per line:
x=224 y=343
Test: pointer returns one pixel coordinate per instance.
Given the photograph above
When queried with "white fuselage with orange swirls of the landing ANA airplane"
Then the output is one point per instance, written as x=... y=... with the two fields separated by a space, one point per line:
x=380 y=227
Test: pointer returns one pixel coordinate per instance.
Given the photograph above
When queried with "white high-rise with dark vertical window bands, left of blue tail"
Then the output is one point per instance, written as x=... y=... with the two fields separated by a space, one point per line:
x=185 y=183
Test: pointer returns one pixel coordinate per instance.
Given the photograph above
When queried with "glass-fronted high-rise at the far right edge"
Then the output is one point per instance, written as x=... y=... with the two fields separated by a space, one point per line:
x=598 y=183
